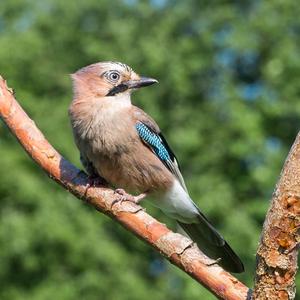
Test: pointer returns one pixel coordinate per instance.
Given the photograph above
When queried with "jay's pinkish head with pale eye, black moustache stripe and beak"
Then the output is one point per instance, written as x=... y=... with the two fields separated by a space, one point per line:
x=107 y=79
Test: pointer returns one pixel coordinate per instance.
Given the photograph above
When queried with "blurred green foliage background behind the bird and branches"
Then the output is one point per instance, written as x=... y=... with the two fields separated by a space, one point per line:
x=228 y=102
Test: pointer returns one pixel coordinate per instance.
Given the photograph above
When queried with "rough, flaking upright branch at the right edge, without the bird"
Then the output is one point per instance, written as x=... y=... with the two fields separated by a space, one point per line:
x=278 y=250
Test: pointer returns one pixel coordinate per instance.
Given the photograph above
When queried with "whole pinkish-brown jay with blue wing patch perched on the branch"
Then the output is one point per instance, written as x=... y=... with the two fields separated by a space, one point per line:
x=123 y=145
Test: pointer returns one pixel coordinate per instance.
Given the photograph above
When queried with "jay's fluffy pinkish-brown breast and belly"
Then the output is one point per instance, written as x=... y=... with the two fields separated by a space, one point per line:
x=115 y=149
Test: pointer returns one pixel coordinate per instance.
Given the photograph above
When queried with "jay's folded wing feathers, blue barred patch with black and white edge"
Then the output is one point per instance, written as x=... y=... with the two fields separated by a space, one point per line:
x=158 y=144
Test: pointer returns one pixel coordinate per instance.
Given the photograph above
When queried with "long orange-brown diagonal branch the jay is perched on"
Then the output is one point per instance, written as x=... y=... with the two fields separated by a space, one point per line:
x=179 y=250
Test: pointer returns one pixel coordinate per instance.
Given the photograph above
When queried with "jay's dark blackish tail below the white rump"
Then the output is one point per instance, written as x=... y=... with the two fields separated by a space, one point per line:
x=213 y=244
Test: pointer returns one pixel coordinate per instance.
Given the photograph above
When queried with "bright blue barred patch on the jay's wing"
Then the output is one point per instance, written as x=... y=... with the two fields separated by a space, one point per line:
x=153 y=140
